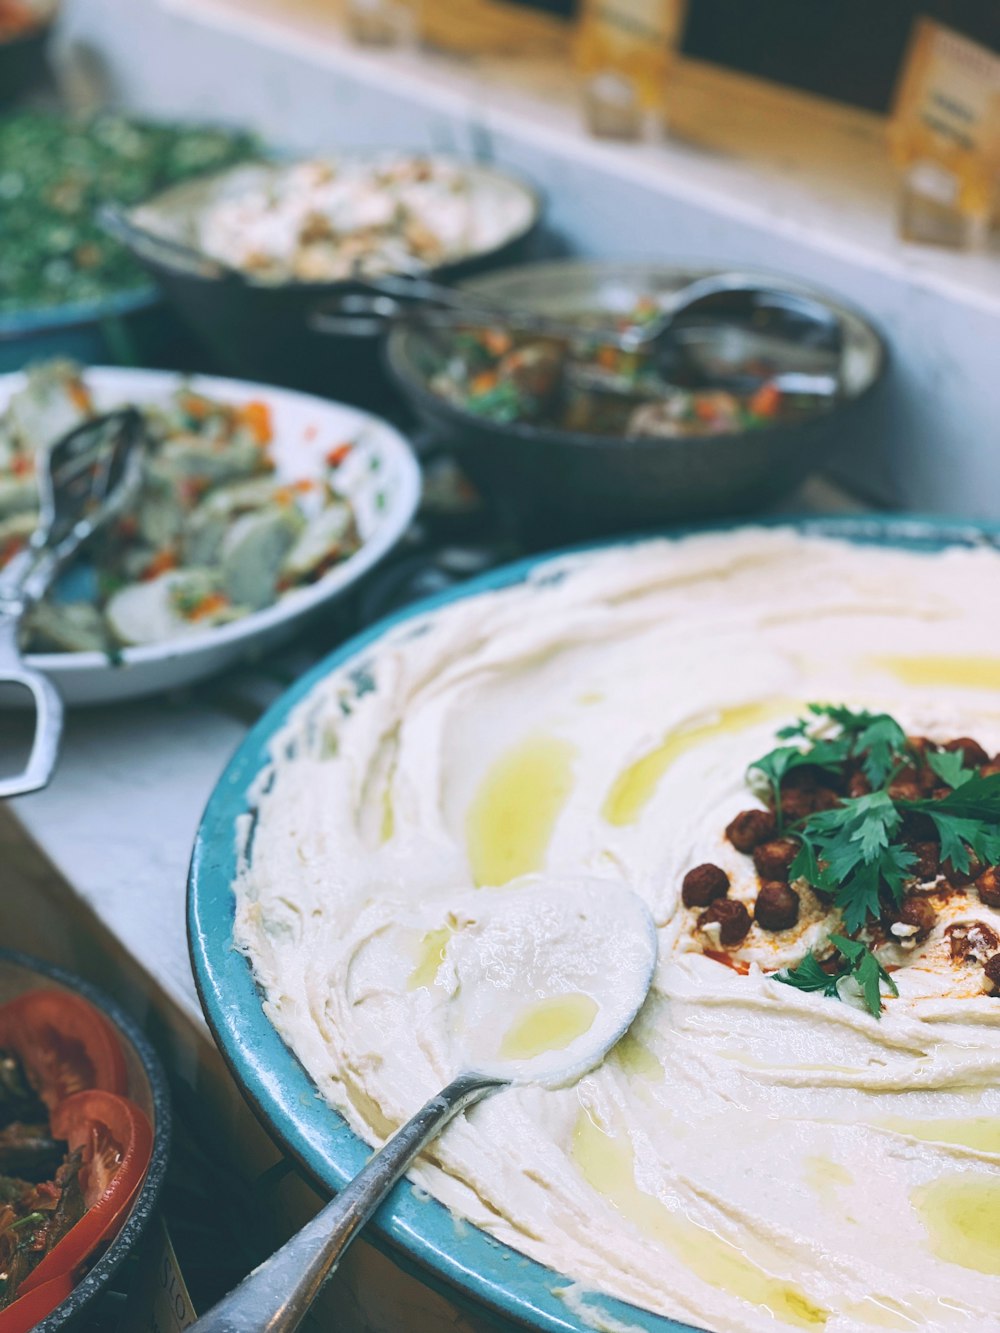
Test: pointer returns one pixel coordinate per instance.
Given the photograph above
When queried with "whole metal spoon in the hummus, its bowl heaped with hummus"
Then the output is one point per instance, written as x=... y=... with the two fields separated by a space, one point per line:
x=541 y=980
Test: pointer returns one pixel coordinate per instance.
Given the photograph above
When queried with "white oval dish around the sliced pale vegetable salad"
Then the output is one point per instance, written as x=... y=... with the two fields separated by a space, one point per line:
x=382 y=479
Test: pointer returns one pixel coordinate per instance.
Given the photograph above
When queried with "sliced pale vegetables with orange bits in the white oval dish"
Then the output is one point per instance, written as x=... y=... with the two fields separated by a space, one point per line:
x=214 y=535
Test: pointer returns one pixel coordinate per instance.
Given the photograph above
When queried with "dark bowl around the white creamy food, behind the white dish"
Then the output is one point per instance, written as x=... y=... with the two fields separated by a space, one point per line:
x=263 y=333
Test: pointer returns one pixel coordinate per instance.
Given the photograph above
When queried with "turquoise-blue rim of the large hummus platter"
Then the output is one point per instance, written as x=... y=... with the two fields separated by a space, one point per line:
x=422 y=1235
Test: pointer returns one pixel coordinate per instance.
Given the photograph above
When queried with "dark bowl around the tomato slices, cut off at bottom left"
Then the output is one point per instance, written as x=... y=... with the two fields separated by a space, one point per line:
x=147 y=1087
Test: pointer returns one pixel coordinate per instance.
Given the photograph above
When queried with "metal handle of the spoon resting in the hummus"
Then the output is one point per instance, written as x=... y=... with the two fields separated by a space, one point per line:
x=278 y=1295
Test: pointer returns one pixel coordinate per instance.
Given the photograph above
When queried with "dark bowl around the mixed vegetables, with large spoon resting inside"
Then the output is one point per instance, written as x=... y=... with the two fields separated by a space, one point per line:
x=589 y=485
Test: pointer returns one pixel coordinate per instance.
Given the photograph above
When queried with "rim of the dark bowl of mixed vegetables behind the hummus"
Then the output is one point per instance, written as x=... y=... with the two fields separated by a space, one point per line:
x=406 y=377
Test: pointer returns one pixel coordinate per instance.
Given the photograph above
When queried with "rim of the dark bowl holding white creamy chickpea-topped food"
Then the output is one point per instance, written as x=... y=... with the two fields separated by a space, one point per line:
x=457 y=267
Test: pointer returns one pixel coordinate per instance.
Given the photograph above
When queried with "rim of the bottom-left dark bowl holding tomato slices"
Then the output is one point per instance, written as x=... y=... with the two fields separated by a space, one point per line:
x=149 y=1196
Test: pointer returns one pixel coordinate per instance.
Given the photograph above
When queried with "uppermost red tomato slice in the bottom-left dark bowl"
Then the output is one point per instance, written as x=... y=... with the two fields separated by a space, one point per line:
x=65 y=1043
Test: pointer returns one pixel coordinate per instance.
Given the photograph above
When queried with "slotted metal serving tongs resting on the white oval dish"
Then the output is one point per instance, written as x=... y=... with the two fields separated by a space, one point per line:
x=86 y=479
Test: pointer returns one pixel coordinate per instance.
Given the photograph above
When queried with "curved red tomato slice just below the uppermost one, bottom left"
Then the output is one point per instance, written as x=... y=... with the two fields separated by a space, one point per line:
x=117 y=1142
